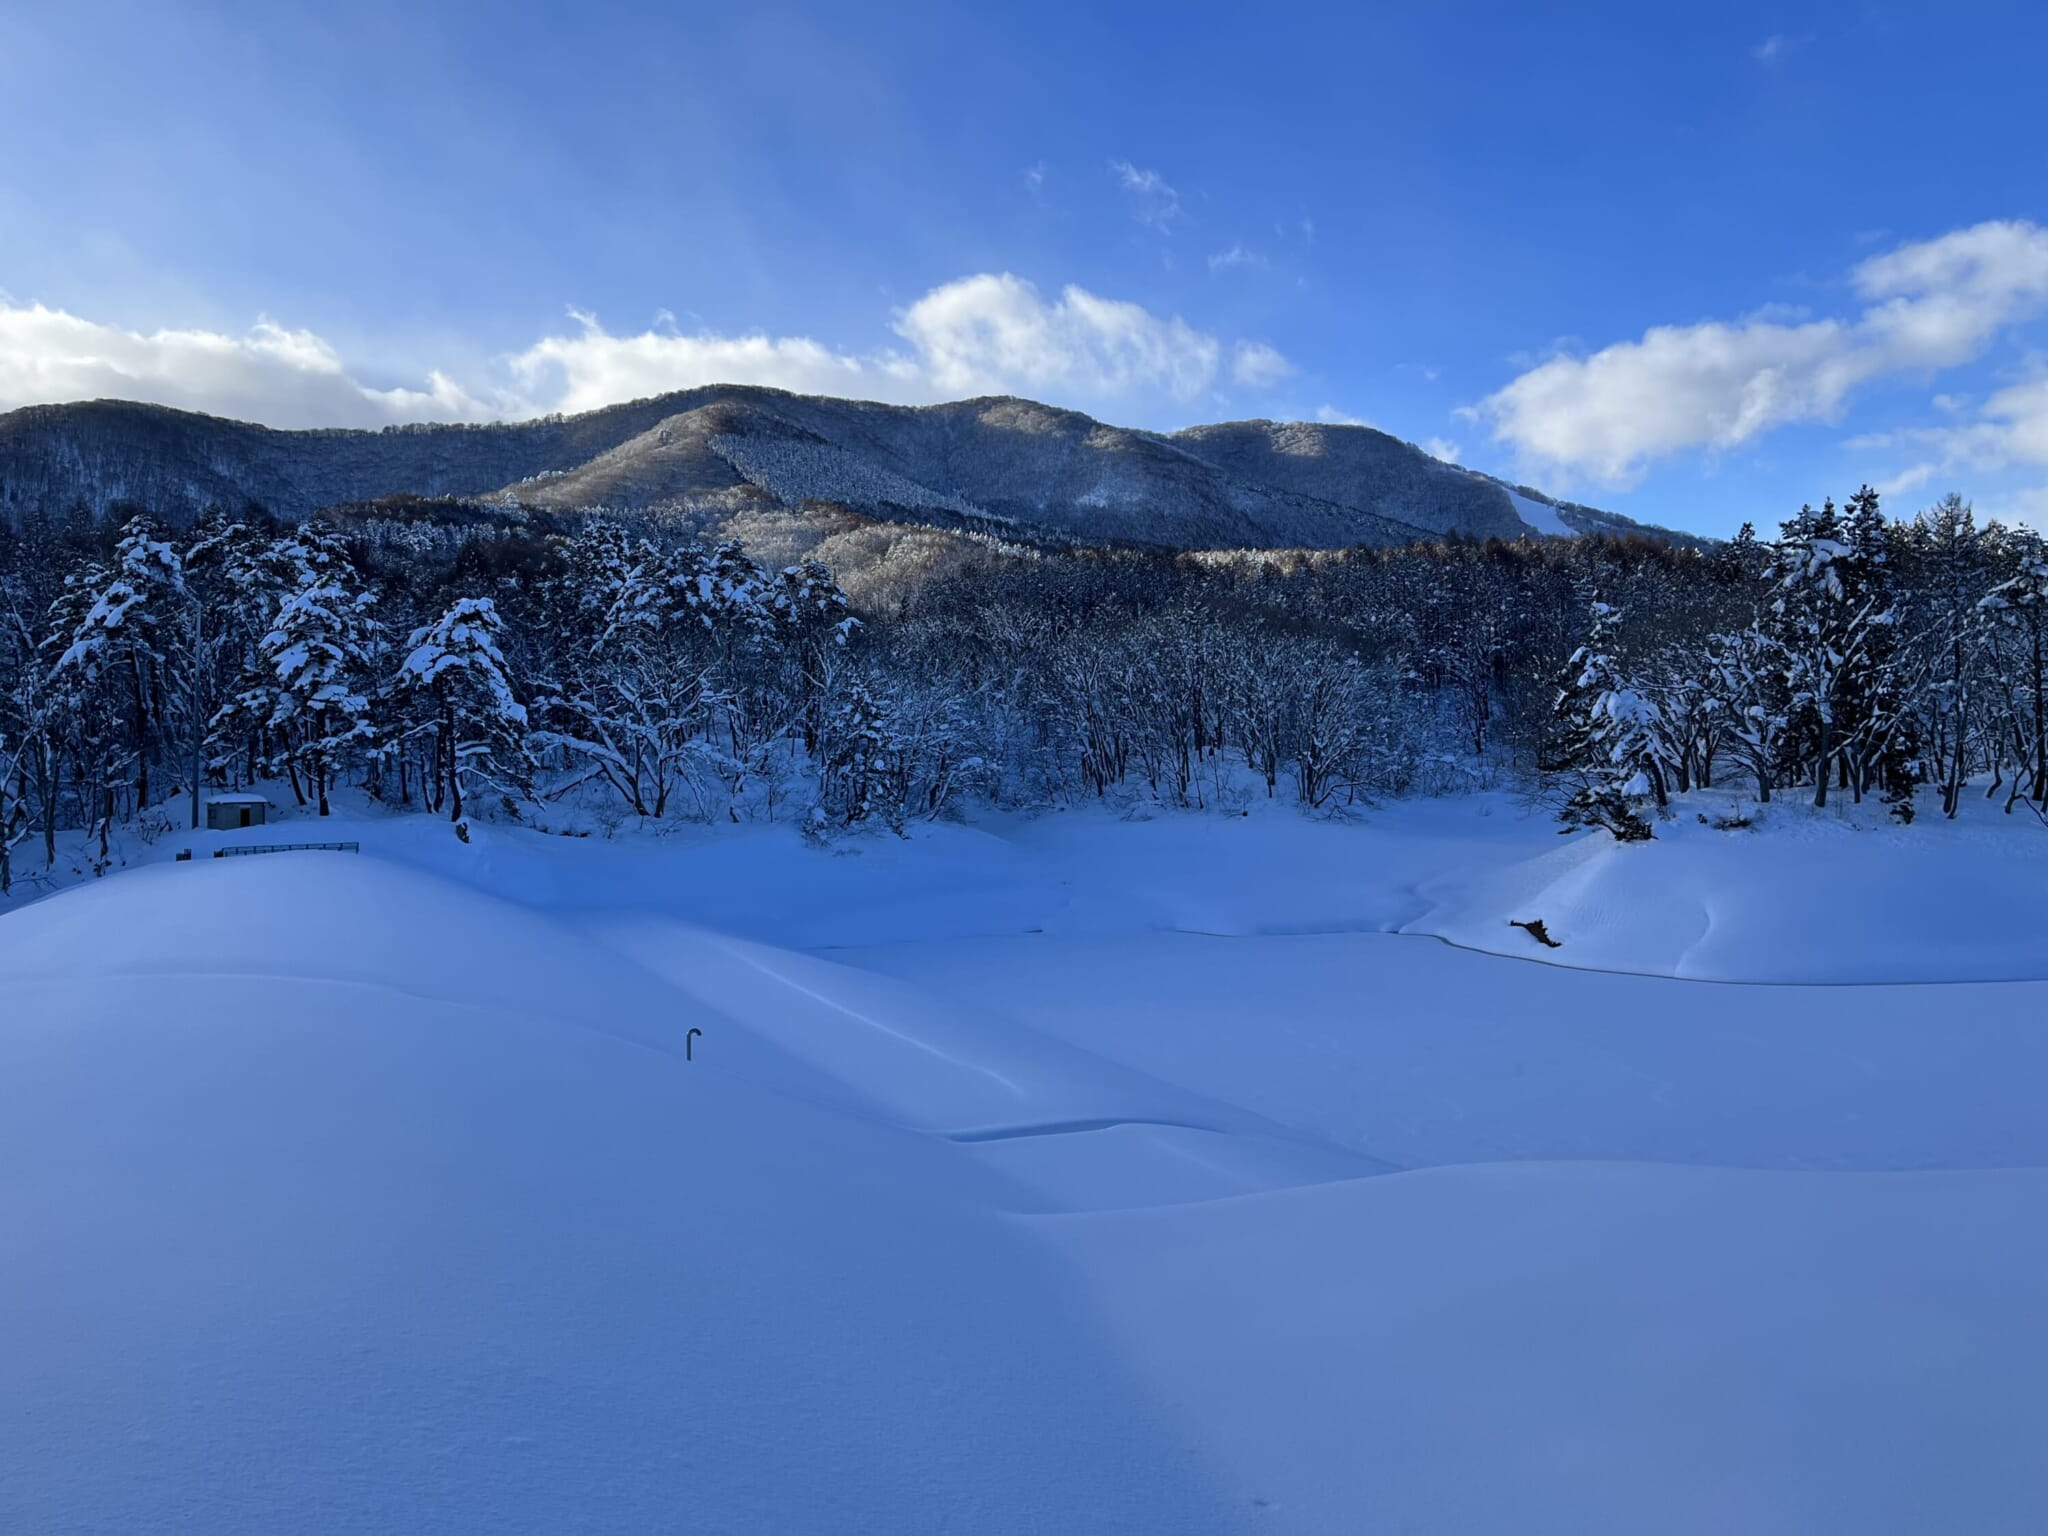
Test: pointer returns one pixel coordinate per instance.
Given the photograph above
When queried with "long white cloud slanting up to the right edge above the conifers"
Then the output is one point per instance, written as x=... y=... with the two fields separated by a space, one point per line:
x=1721 y=384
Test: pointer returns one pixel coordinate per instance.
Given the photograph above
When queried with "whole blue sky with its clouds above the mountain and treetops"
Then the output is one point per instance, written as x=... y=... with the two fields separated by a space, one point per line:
x=1693 y=263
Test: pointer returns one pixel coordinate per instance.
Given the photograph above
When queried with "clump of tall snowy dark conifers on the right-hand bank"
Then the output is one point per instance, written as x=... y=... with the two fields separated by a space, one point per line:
x=1875 y=658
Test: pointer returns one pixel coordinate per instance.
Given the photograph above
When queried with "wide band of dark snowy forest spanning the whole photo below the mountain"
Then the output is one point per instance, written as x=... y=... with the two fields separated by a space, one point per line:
x=626 y=671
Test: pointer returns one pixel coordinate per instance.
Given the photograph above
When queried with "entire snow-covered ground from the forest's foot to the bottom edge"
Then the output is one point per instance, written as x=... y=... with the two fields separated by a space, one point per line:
x=1197 y=1175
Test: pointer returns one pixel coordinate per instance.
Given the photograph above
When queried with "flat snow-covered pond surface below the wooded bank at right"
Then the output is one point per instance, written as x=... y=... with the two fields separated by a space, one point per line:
x=1416 y=1054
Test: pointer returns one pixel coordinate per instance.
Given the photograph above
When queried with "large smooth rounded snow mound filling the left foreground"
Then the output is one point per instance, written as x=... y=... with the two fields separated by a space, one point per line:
x=337 y=1189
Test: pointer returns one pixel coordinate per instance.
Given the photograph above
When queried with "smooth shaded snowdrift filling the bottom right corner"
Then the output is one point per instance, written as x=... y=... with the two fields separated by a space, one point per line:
x=1562 y=1349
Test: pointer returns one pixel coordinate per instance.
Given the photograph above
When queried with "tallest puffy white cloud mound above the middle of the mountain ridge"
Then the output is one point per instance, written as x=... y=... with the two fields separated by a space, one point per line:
x=998 y=335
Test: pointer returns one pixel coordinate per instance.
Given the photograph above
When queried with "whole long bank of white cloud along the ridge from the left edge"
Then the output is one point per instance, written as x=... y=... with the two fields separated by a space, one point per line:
x=982 y=335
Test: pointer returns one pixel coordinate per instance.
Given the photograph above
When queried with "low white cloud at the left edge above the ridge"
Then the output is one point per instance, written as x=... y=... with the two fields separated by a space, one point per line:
x=290 y=378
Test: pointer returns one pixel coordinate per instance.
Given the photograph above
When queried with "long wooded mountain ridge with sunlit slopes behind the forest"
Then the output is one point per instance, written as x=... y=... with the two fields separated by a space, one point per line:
x=1002 y=466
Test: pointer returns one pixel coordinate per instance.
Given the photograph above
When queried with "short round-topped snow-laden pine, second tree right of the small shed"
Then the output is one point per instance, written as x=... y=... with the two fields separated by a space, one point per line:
x=460 y=695
